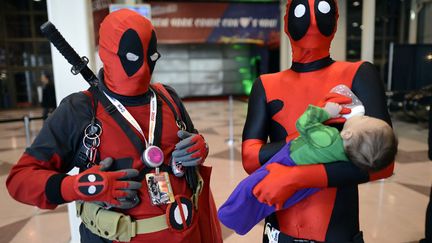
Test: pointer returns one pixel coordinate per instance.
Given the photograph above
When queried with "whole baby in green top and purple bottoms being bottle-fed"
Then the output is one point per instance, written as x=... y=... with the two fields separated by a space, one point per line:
x=368 y=142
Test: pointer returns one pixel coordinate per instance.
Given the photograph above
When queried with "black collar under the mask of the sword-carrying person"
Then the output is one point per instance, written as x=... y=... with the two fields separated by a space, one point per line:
x=125 y=100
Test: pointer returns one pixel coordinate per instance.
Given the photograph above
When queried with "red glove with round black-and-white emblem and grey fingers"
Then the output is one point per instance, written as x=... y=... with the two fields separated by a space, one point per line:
x=97 y=184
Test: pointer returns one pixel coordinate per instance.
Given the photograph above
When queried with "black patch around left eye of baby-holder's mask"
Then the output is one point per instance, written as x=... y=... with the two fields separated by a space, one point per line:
x=298 y=26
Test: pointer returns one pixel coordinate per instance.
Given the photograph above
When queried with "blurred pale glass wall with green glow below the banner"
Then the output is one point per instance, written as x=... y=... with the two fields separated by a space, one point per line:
x=210 y=69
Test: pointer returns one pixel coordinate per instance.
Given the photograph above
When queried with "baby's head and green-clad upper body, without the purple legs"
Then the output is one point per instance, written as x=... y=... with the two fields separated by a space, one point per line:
x=367 y=142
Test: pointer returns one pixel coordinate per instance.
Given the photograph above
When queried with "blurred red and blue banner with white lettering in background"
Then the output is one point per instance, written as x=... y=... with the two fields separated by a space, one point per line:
x=256 y=23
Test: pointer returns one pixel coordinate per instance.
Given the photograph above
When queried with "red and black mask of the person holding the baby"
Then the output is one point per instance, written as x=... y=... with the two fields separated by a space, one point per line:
x=311 y=26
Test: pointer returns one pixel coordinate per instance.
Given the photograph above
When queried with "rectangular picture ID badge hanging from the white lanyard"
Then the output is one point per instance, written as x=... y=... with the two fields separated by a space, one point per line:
x=159 y=188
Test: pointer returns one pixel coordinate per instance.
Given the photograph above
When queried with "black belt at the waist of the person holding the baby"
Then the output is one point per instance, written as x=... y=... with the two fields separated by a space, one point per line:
x=275 y=236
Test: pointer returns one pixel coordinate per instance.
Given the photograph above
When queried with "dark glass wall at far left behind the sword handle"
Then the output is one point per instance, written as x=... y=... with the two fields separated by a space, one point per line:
x=24 y=52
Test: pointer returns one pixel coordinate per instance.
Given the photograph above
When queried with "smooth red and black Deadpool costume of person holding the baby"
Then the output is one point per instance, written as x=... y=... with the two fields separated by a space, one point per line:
x=276 y=102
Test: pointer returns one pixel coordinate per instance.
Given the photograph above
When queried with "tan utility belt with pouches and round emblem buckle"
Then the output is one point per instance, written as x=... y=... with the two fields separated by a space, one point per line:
x=117 y=226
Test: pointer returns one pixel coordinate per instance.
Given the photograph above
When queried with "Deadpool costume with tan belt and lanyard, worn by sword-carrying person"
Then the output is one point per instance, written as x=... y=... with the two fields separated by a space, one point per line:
x=115 y=168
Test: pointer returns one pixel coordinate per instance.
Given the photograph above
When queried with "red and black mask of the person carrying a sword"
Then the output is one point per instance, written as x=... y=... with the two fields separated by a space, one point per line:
x=128 y=50
